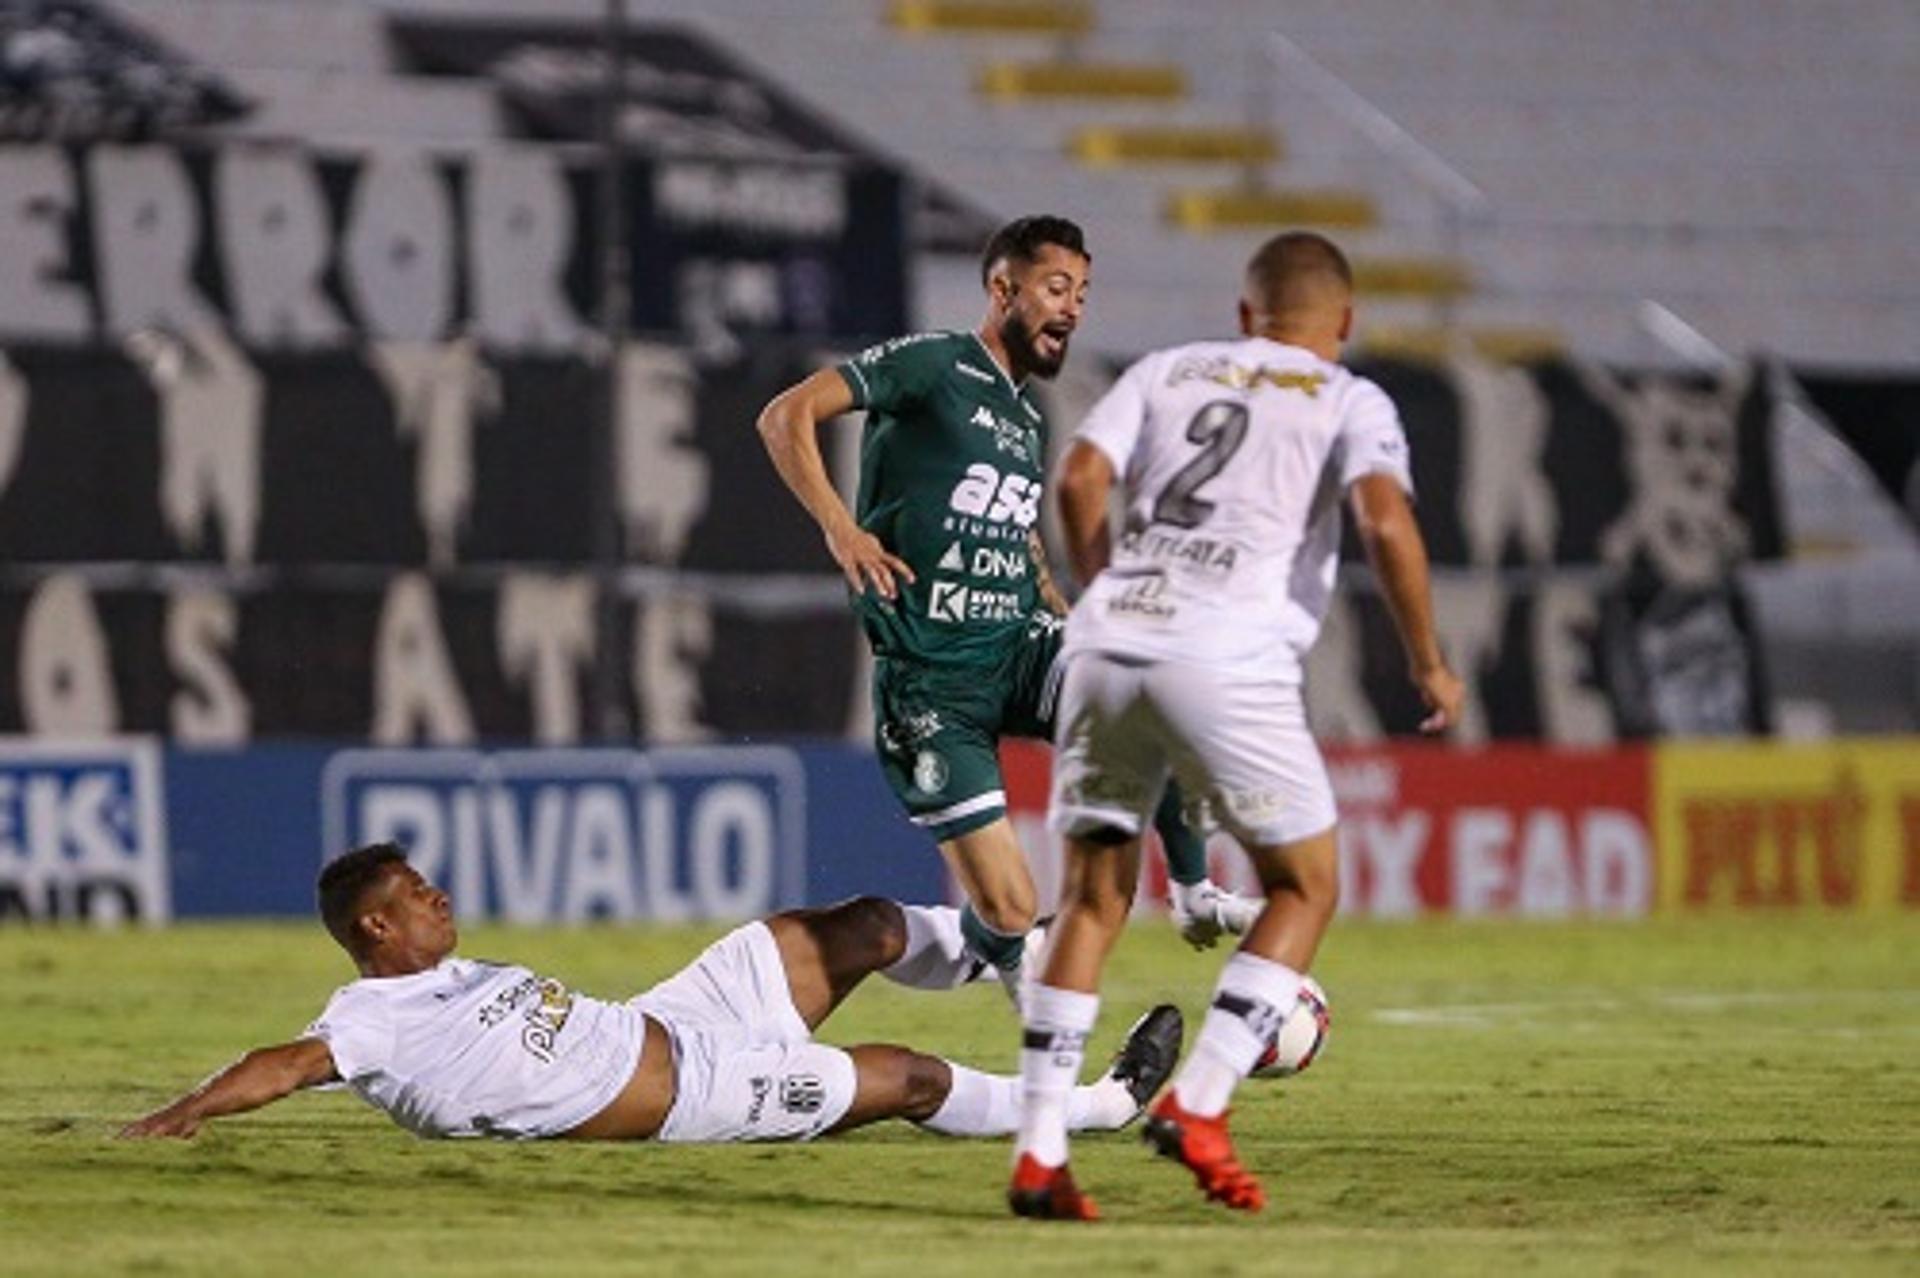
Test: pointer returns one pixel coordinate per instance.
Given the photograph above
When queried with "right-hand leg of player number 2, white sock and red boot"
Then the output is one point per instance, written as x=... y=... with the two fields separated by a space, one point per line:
x=1257 y=989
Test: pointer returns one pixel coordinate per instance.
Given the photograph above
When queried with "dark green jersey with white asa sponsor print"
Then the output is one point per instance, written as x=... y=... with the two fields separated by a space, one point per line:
x=951 y=473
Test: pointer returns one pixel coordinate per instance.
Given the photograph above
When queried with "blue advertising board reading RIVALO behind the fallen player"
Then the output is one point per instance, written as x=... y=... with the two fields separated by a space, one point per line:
x=130 y=830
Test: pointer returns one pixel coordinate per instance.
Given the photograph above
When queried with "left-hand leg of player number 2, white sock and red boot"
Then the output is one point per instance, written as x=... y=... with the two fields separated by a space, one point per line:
x=1061 y=1012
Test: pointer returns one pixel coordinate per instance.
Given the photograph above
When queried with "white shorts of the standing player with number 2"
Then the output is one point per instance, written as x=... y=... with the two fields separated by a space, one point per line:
x=1239 y=747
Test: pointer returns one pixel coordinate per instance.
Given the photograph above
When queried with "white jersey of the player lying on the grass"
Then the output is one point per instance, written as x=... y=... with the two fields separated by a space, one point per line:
x=477 y=1049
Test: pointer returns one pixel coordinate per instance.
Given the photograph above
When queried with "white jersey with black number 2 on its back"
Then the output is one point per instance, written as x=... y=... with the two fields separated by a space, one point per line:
x=1234 y=460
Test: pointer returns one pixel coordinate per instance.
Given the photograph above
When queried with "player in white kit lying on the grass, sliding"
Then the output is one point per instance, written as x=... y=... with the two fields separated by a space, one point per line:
x=719 y=1053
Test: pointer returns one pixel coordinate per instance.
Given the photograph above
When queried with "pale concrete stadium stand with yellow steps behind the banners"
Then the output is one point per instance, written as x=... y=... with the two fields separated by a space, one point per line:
x=1635 y=185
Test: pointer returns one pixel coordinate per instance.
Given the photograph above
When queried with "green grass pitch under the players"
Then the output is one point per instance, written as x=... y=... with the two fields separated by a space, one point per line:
x=1668 y=1099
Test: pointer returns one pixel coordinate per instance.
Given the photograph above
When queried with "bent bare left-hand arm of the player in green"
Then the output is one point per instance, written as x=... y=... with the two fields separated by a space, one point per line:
x=790 y=429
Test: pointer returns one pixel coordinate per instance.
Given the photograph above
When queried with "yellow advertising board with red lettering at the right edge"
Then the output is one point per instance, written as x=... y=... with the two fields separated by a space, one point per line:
x=1833 y=826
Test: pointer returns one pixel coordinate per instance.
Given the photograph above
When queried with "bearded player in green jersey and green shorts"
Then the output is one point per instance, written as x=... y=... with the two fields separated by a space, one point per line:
x=949 y=579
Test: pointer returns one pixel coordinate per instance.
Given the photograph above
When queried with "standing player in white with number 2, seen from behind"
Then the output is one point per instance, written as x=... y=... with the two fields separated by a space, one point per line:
x=1186 y=661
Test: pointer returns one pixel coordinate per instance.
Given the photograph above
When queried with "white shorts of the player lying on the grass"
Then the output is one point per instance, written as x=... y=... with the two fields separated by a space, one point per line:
x=746 y=1066
